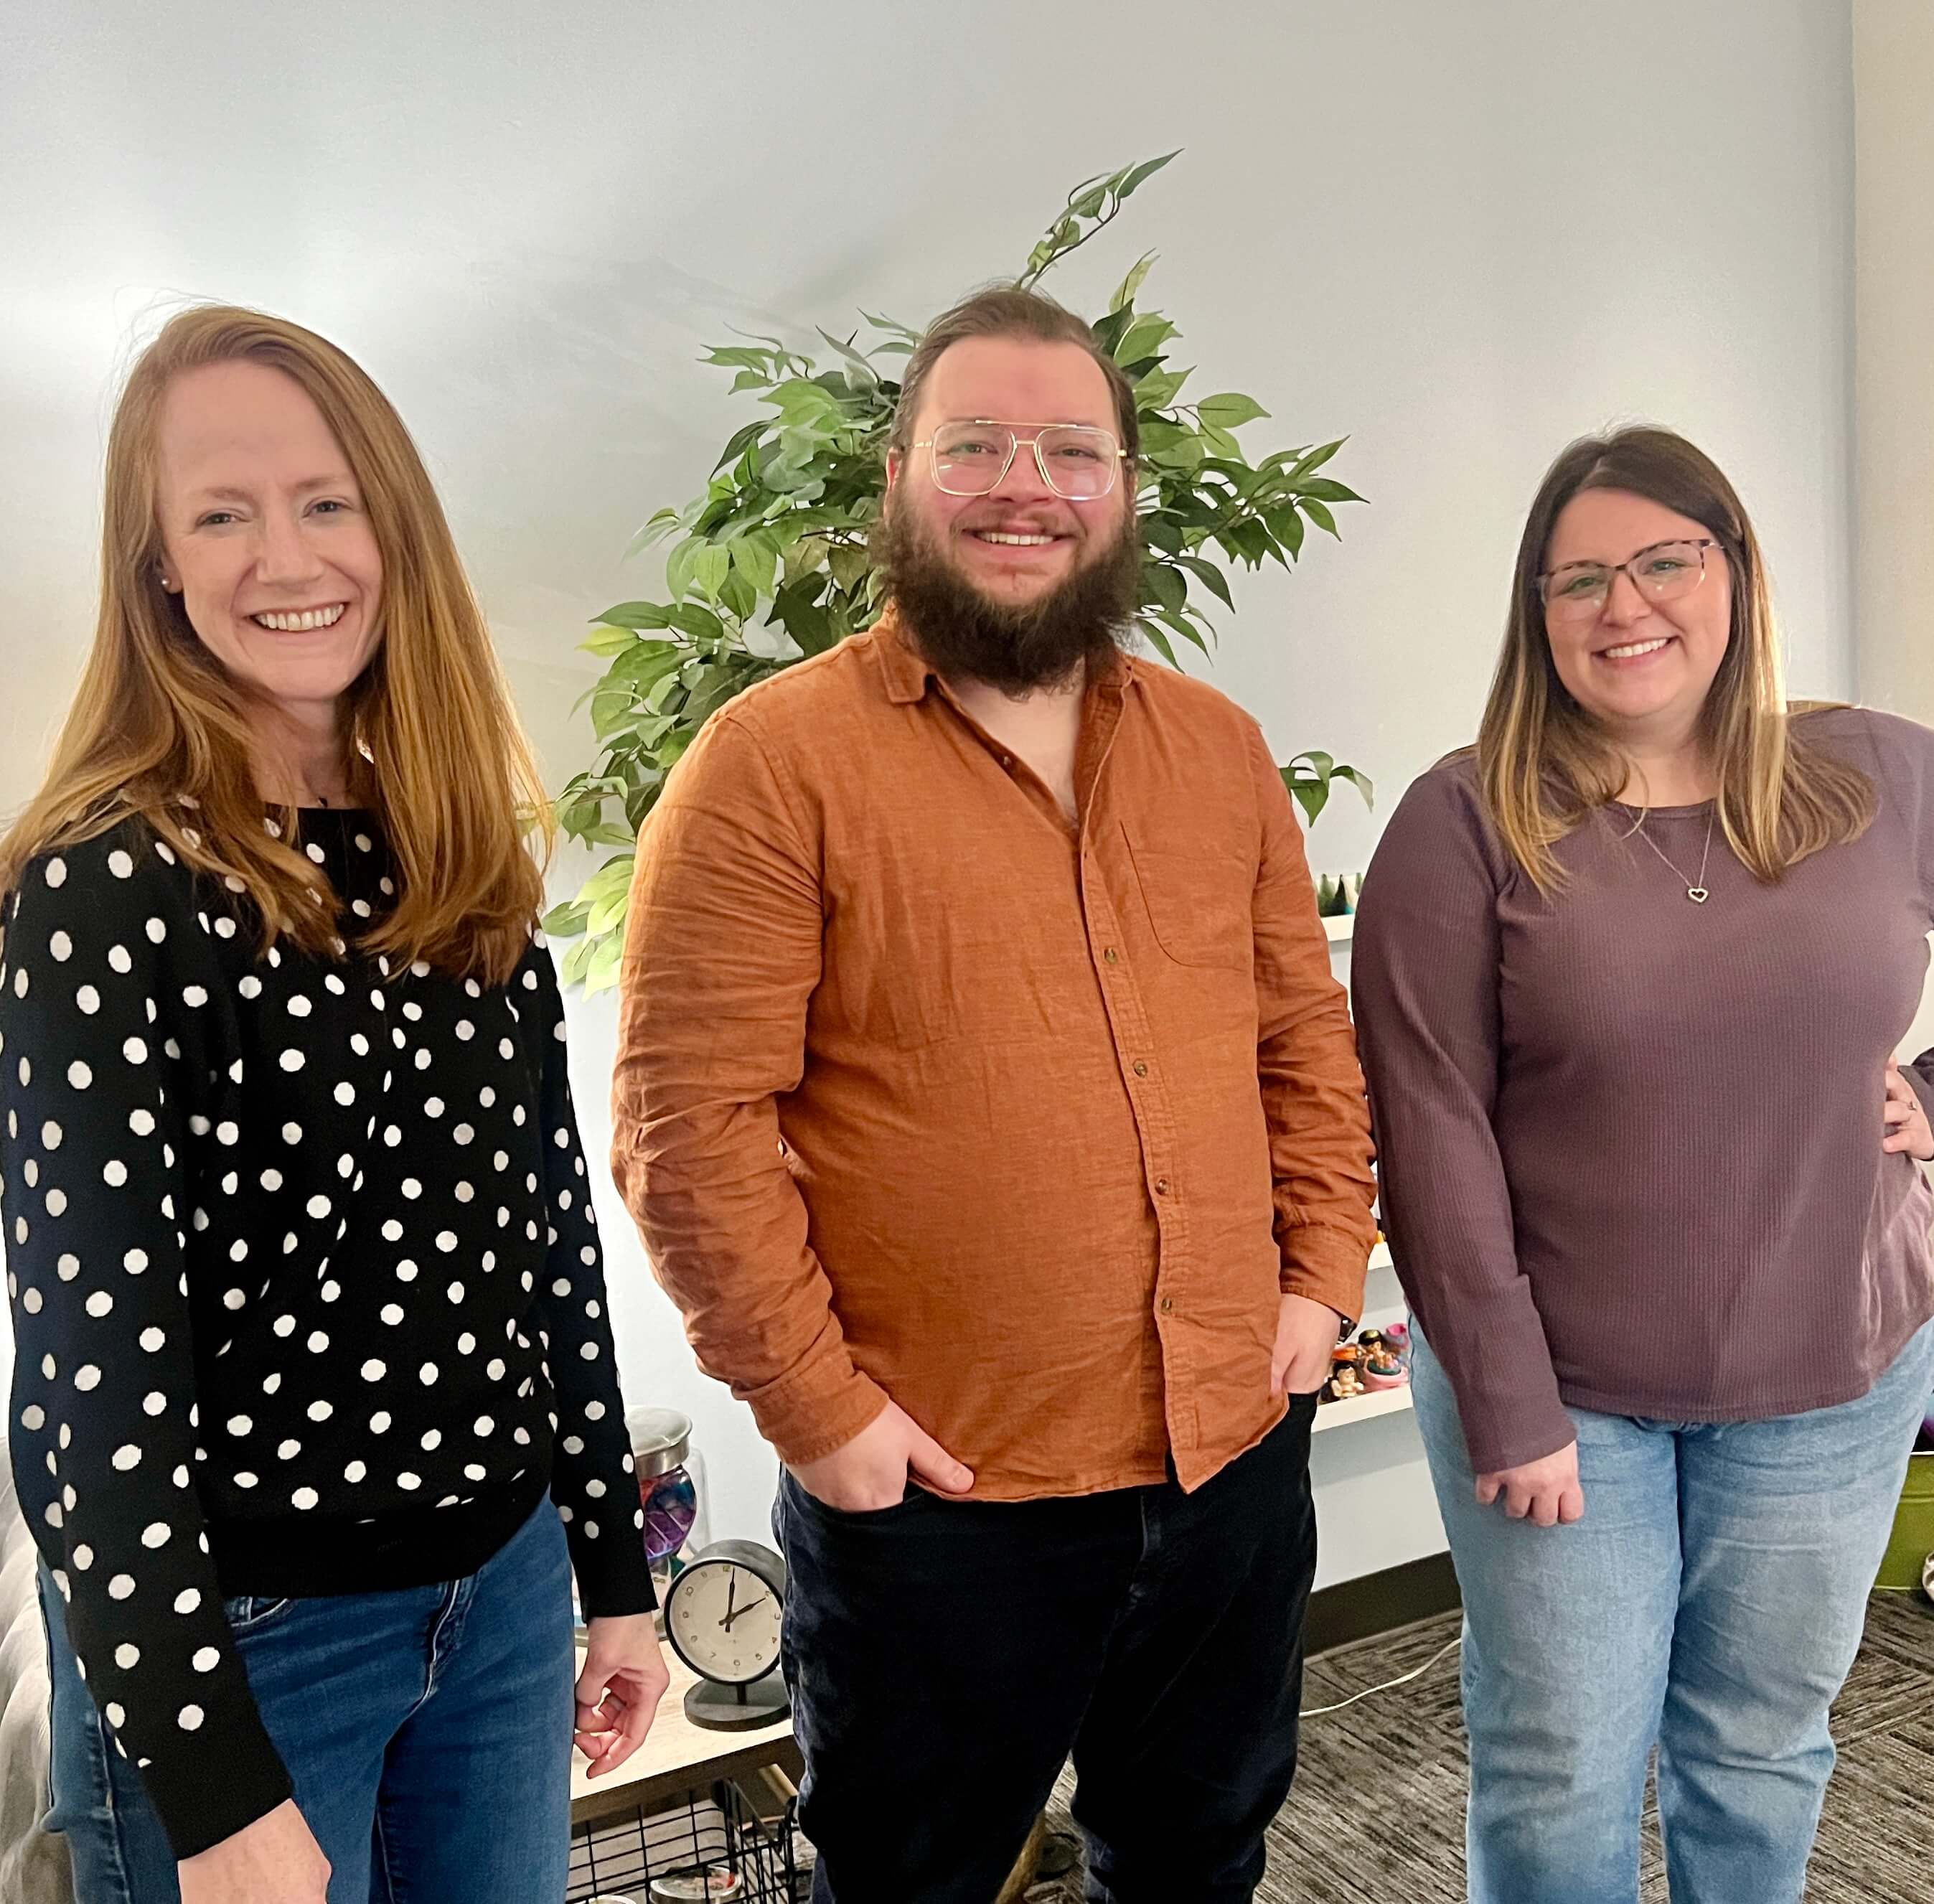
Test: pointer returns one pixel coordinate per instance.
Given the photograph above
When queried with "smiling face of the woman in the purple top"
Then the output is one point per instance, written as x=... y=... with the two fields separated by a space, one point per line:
x=1643 y=667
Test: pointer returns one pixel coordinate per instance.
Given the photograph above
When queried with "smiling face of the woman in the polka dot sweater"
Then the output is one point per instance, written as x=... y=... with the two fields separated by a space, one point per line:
x=266 y=537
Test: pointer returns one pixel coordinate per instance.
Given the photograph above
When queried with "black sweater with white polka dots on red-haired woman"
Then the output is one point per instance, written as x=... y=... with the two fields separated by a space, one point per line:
x=305 y=1280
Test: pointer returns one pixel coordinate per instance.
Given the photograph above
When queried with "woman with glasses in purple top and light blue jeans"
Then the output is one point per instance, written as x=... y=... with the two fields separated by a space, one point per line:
x=1629 y=978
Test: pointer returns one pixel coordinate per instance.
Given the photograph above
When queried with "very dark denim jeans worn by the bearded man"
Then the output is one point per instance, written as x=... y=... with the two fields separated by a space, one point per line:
x=945 y=1659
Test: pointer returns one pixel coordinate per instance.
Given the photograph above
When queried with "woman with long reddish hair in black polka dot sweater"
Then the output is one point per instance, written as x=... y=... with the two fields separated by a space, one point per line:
x=314 y=1404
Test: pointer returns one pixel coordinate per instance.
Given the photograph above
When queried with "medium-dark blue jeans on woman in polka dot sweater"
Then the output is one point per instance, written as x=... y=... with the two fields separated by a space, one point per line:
x=426 y=1731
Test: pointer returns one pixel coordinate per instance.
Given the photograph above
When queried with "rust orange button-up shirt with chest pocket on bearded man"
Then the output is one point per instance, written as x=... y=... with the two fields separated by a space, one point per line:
x=925 y=1092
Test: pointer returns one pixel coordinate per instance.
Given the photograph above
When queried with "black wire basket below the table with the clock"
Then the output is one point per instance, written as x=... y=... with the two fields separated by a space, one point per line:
x=715 y=1833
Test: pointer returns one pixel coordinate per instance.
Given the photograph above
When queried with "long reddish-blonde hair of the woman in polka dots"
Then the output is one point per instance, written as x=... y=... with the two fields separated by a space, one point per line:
x=161 y=730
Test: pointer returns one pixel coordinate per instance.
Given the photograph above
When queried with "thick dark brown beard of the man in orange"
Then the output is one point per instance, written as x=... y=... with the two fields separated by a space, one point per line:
x=1012 y=647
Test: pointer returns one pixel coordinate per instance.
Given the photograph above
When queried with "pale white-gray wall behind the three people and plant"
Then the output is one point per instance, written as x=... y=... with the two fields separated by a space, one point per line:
x=1457 y=233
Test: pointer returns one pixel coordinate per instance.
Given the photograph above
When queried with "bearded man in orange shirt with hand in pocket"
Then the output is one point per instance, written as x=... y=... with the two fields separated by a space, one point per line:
x=989 y=1110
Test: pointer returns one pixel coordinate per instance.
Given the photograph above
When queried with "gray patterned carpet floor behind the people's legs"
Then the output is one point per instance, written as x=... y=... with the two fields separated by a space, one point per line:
x=1378 y=1808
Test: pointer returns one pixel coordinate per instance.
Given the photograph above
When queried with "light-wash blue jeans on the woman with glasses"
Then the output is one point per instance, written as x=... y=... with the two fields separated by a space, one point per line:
x=1711 y=1603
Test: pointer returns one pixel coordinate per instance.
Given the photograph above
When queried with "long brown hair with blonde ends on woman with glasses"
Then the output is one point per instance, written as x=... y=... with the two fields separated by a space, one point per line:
x=1544 y=763
